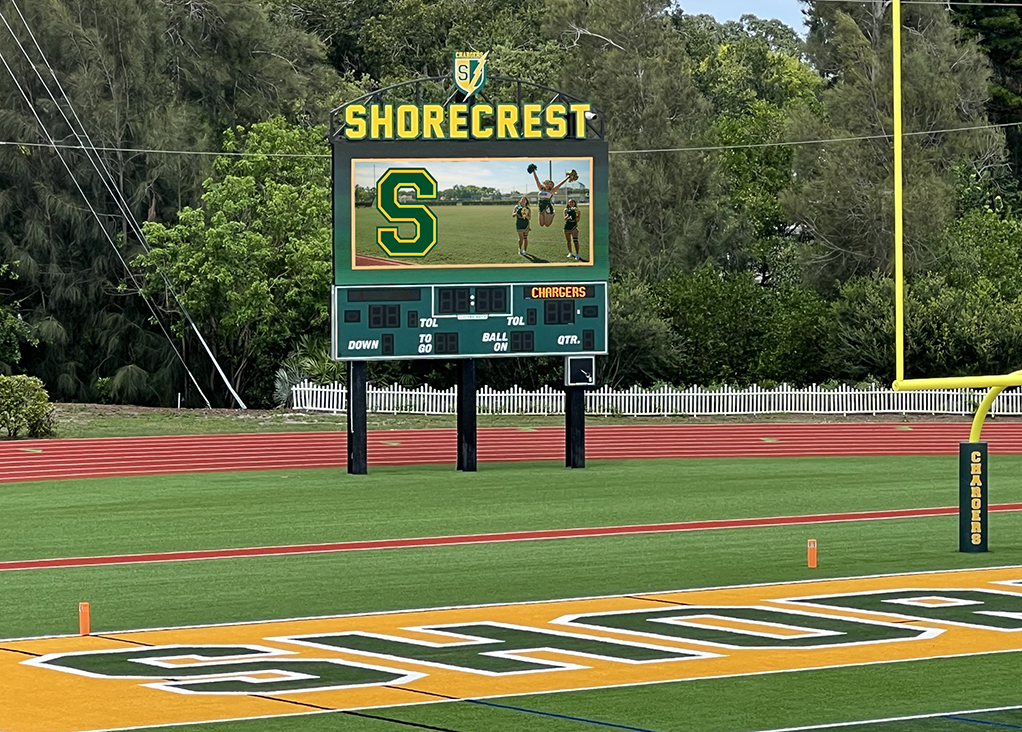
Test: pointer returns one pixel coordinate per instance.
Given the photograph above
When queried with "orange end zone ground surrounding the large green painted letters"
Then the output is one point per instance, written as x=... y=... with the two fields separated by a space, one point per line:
x=51 y=700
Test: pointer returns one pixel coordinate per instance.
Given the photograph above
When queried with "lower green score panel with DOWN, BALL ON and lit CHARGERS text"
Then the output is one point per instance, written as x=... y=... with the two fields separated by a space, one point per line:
x=488 y=321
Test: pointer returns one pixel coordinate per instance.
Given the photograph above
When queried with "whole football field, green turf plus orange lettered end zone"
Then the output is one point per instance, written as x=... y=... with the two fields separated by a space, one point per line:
x=685 y=628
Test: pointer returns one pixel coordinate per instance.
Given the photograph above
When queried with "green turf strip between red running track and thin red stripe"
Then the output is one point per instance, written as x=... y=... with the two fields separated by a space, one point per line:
x=219 y=511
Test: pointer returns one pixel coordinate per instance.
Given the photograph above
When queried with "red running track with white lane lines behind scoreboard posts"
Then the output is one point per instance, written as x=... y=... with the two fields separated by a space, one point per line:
x=54 y=460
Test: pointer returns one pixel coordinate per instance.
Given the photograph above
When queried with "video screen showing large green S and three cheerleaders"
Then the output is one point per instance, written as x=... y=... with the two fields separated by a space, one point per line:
x=455 y=213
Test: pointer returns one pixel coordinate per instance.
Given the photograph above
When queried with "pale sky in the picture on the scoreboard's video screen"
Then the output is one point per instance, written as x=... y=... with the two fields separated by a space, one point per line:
x=505 y=175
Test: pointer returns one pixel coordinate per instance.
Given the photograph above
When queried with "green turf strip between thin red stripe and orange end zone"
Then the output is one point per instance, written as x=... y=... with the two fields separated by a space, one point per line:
x=42 y=603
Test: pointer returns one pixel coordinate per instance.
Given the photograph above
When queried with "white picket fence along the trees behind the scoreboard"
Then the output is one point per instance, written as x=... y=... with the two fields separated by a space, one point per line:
x=665 y=401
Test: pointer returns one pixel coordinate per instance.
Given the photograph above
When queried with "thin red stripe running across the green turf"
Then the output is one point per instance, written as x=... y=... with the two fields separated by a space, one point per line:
x=494 y=538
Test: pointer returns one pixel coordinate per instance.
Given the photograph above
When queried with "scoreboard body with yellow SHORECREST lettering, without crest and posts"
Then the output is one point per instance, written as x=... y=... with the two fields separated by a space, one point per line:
x=424 y=269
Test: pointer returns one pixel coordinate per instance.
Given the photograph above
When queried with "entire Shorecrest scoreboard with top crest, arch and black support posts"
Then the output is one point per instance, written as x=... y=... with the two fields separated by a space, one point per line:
x=406 y=284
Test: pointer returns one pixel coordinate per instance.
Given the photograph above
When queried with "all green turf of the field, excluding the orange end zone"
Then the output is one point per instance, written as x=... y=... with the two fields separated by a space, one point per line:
x=159 y=514
